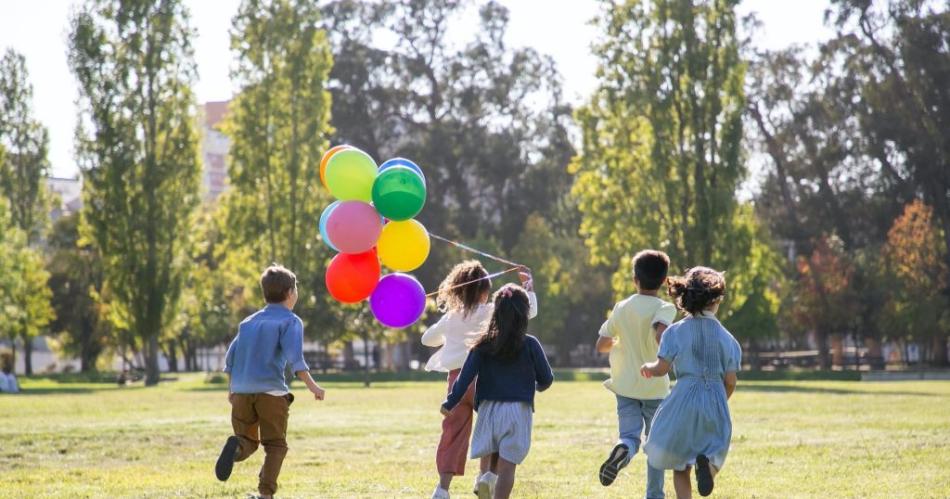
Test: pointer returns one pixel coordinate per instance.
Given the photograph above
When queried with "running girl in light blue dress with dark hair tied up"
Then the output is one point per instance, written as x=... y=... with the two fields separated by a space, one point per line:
x=692 y=427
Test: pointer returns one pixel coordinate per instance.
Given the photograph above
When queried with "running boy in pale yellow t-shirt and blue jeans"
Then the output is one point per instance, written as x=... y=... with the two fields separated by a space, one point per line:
x=632 y=336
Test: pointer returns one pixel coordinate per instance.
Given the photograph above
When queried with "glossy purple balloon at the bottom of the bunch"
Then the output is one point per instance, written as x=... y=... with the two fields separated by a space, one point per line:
x=398 y=300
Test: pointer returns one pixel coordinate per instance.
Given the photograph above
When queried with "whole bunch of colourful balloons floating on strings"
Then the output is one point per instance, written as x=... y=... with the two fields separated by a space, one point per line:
x=371 y=224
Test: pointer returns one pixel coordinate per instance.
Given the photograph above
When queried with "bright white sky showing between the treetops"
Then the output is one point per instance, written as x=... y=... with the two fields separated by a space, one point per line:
x=560 y=28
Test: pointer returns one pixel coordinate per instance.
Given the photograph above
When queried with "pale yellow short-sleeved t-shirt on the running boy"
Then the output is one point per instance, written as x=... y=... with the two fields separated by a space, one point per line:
x=631 y=324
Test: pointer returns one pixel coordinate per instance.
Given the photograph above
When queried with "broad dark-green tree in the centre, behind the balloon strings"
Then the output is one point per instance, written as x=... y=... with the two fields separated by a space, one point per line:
x=486 y=121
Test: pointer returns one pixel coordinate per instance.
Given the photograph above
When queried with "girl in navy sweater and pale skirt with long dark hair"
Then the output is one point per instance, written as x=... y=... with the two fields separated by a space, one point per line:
x=510 y=366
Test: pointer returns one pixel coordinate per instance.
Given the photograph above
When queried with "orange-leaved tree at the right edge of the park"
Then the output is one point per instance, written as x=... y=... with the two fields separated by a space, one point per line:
x=914 y=254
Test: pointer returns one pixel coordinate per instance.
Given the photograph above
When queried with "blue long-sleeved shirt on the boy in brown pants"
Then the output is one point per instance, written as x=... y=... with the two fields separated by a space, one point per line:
x=266 y=342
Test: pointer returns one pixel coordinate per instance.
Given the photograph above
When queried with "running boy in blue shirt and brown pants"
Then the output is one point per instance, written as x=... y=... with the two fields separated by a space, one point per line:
x=260 y=399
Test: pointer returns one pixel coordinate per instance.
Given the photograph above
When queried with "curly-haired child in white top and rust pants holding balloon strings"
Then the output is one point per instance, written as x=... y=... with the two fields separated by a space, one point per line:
x=463 y=296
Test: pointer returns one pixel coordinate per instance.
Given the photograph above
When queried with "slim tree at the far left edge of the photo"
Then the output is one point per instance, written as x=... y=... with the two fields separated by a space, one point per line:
x=23 y=168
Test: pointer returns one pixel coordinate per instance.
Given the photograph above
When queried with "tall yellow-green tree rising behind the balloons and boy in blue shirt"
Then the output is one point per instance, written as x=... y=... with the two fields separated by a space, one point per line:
x=278 y=125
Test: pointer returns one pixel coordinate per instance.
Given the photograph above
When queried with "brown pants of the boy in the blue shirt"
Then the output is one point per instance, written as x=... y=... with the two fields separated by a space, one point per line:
x=259 y=418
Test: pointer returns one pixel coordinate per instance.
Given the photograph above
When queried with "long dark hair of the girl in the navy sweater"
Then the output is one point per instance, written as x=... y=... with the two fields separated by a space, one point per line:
x=506 y=332
